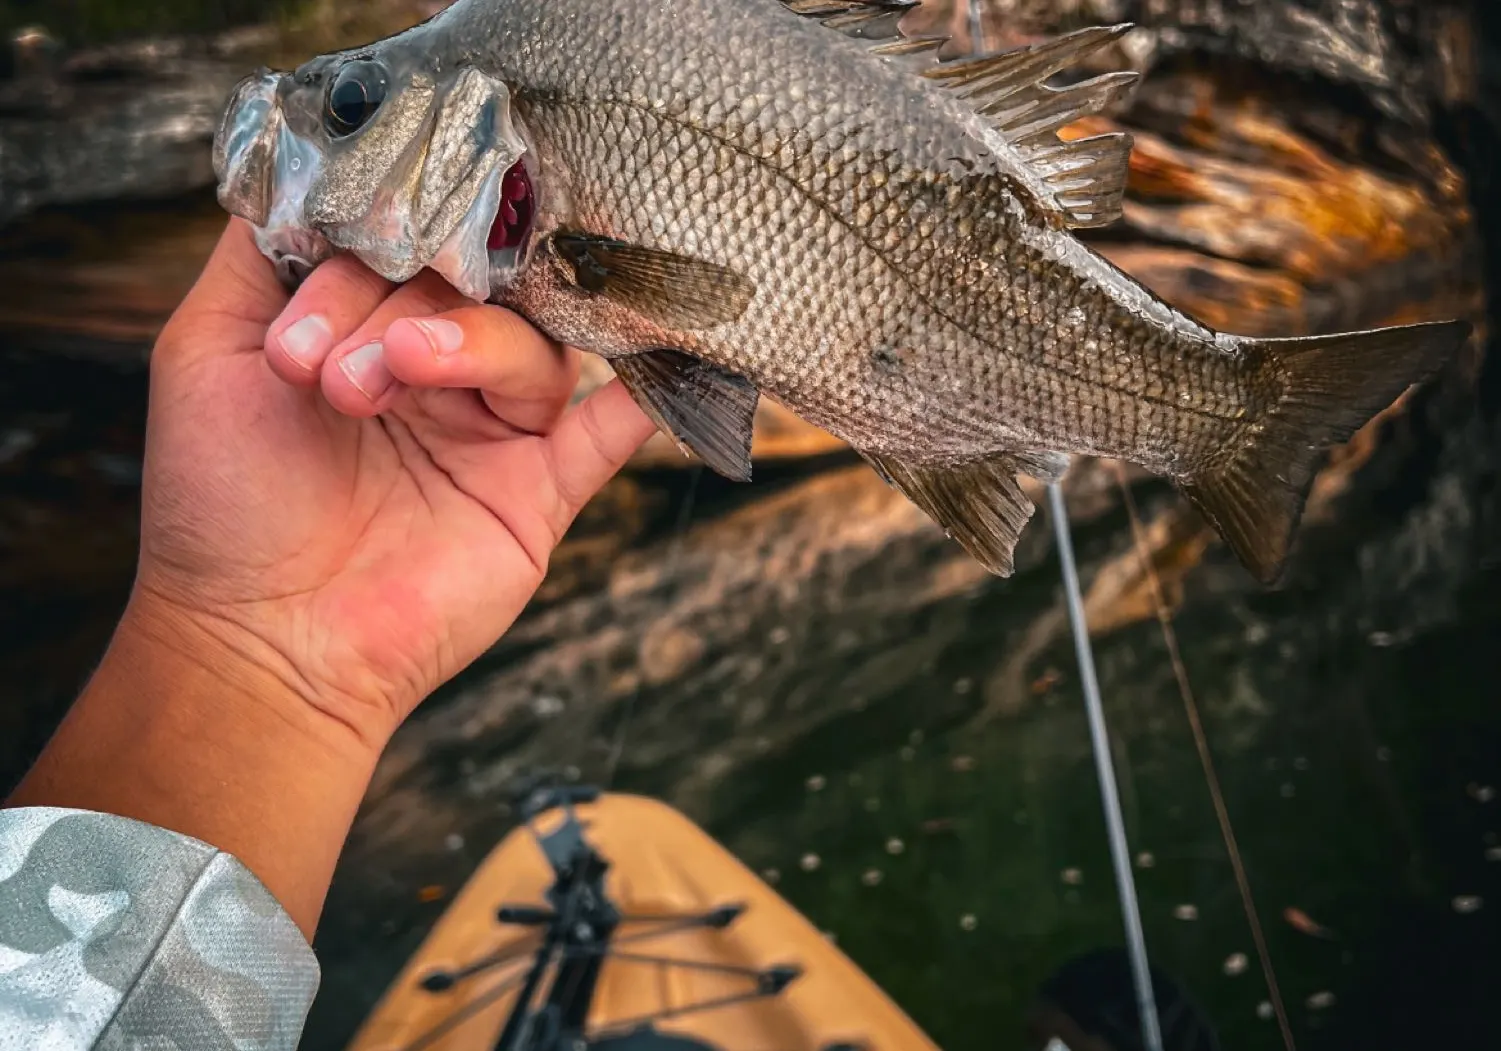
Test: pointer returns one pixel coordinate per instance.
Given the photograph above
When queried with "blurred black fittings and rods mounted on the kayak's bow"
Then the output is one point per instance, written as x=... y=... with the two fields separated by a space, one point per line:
x=582 y=929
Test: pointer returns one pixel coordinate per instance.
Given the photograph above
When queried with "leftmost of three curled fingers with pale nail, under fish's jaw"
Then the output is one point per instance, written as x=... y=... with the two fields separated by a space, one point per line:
x=331 y=306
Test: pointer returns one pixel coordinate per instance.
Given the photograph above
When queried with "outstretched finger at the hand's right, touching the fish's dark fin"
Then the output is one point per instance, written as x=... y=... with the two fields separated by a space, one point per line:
x=591 y=447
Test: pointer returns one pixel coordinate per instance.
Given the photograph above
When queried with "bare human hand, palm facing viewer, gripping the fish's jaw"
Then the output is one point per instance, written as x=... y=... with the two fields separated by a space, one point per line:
x=358 y=487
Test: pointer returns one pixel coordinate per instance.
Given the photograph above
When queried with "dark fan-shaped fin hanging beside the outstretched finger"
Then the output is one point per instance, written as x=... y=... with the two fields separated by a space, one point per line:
x=705 y=409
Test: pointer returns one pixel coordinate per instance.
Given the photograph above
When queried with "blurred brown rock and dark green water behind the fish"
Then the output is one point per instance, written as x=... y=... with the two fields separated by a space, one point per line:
x=805 y=666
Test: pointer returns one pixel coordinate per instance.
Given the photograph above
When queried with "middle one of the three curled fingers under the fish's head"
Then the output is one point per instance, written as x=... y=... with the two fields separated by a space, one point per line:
x=356 y=379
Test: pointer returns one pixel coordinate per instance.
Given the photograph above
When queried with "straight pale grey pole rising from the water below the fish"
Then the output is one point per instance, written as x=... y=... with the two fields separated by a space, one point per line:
x=1099 y=738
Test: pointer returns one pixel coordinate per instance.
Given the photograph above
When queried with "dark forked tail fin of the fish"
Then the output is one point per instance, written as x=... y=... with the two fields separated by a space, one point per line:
x=1335 y=385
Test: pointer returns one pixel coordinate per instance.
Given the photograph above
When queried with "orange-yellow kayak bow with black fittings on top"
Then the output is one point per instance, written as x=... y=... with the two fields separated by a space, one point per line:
x=612 y=923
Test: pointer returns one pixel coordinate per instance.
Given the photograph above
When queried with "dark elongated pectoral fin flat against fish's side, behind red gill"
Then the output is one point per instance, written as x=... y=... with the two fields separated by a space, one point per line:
x=672 y=291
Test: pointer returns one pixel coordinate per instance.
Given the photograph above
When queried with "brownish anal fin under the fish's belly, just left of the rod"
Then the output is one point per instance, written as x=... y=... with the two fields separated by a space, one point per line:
x=979 y=504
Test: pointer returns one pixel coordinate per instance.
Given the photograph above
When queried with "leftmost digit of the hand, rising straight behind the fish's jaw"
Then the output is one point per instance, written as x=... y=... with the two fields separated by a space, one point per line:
x=235 y=298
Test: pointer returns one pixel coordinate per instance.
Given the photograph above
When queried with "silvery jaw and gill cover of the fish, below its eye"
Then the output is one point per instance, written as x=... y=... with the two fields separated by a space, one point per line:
x=418 y=185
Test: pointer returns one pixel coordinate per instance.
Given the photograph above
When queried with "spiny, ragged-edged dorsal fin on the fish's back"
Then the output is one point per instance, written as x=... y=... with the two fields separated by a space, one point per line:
x=1083 y=181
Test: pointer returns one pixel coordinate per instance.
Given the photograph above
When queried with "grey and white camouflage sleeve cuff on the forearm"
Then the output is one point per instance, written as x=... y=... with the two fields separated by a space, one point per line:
x=118 y=935
